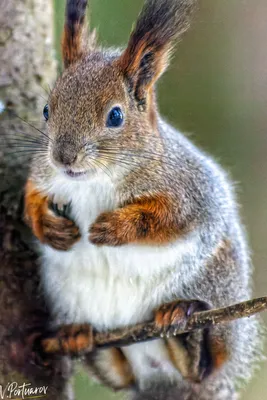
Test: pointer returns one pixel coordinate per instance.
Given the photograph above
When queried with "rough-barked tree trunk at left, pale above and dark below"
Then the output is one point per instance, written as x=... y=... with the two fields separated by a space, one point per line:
x=27 y=64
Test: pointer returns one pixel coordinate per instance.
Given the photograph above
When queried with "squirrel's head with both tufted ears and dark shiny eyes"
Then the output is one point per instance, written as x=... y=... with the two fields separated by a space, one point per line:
x=102 y=110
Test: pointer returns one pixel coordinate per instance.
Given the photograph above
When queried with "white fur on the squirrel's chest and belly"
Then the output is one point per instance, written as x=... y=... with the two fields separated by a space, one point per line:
x=106 y=286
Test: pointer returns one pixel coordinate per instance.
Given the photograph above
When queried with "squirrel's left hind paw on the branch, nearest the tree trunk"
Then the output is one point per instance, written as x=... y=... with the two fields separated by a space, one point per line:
x=72 y=340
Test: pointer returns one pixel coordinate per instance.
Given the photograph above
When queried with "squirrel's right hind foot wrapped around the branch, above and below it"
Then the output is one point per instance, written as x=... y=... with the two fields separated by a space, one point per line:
x=196 y=354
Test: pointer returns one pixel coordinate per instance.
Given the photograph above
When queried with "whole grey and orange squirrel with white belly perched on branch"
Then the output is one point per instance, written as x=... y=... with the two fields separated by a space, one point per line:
x=134 y=222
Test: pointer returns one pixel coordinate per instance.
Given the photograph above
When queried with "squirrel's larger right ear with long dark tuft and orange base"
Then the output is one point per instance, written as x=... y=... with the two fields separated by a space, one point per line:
x=147 y=54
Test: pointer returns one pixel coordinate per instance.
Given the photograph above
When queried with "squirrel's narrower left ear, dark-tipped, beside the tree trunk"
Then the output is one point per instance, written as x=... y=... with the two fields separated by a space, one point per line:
x=74 y=43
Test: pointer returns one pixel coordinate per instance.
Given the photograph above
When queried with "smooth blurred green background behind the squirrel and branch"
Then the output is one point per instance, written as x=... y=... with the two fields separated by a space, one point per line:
x=216 y=91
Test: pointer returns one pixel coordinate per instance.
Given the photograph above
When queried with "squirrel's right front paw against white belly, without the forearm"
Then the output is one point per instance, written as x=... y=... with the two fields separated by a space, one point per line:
x=107 y=230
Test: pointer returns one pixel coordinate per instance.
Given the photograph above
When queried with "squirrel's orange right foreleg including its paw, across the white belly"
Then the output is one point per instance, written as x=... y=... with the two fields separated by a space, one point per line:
x=149 y=220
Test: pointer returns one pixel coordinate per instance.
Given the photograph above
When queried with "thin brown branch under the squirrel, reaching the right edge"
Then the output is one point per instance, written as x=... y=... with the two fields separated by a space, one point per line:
x=148 y=331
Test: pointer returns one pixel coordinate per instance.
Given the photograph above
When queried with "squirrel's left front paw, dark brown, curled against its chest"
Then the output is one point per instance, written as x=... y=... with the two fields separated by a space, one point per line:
x=58 y=231
